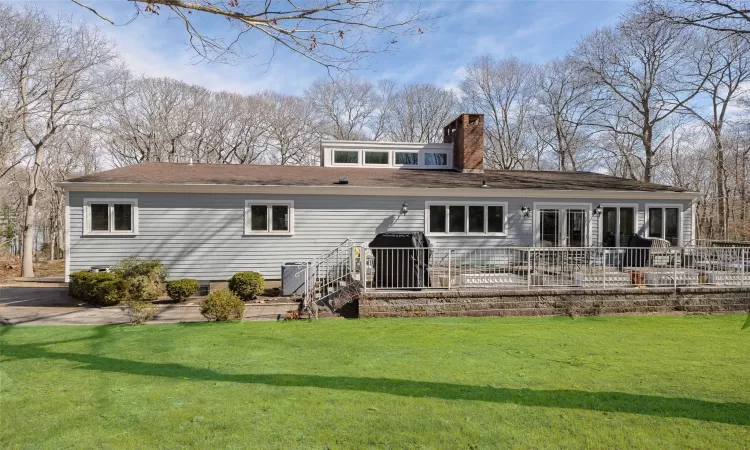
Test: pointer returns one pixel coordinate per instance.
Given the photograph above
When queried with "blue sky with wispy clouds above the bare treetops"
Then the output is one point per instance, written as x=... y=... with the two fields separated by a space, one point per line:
x=531 y=30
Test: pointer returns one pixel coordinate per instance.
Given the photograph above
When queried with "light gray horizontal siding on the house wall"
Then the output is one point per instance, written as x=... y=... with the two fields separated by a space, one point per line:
x=202 y=235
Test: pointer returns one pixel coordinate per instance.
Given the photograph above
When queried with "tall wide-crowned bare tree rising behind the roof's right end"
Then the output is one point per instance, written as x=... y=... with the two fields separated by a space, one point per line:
x=643 y=72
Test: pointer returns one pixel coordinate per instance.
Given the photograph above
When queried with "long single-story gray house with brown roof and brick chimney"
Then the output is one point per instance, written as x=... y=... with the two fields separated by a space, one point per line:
x=208 y=221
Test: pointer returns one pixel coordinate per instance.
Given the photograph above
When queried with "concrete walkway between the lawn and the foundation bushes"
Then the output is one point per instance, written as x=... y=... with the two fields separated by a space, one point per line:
x=32 y=304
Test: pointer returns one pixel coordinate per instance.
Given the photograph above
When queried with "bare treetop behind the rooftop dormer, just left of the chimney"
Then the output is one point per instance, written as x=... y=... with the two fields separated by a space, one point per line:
x=417 y=112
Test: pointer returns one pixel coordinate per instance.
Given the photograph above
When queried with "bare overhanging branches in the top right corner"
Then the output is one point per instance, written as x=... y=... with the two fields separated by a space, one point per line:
x=726 y=16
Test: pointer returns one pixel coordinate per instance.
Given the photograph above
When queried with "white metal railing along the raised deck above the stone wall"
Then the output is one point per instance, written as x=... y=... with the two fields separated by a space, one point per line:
x=552 y=268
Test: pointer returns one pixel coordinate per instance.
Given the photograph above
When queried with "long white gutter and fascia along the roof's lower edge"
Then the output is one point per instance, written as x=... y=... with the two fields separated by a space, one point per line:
x=369 y=190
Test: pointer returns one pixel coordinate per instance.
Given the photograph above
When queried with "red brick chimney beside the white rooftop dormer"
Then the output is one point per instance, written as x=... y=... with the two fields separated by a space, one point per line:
x=466 y=133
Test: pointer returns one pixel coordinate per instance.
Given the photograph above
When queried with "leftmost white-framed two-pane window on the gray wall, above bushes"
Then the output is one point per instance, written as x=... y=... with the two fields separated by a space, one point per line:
x=110 y=216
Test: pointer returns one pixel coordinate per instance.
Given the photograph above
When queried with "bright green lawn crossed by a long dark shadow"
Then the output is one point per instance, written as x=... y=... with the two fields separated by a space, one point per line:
x=602 y=382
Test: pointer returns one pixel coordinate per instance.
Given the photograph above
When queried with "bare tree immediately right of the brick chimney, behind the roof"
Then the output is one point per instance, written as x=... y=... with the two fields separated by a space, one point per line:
x=503 y=90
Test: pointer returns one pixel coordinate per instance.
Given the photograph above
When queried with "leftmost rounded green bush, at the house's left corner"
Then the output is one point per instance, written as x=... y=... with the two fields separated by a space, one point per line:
x=99 y=288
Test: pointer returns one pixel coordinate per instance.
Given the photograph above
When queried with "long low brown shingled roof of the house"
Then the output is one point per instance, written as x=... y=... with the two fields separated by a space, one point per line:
x=264 y=175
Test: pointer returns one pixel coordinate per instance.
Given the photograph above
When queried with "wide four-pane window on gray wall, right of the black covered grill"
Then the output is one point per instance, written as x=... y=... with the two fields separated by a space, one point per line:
x=471 y=219
